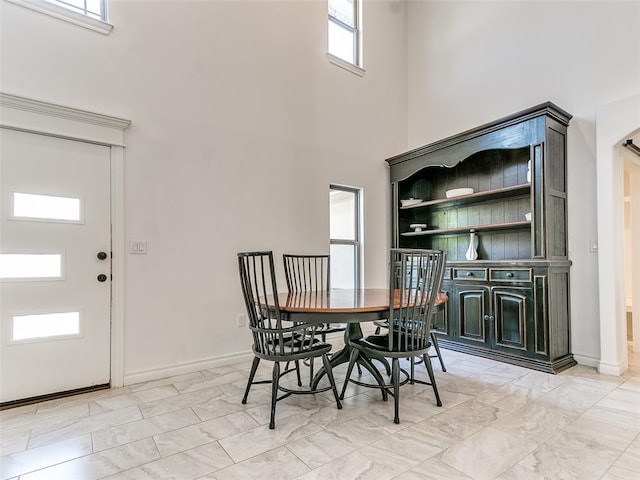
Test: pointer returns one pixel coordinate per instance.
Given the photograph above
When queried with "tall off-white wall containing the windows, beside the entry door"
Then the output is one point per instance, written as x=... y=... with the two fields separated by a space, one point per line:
x=239 y=125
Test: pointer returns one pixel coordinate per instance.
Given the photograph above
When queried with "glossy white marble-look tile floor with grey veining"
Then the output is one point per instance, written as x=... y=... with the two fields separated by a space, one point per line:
x=497 y=422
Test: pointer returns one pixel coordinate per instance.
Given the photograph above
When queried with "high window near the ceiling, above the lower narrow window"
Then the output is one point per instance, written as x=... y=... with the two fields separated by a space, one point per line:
x=345 y=34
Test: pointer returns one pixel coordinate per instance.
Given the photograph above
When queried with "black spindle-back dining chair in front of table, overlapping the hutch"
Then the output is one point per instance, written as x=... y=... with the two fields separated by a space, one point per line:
x=411 y=304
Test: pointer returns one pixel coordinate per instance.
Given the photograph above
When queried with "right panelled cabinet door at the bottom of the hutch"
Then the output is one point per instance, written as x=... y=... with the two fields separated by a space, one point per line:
x=513 y=310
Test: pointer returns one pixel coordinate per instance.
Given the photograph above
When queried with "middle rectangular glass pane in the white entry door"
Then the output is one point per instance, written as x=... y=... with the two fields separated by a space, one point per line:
x=26 y=265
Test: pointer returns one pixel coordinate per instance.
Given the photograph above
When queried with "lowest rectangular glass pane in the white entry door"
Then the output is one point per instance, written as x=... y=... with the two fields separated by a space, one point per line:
x=26 y=327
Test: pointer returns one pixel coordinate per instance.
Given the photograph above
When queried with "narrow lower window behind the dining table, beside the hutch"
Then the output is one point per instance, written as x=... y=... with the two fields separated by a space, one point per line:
x=344 y=228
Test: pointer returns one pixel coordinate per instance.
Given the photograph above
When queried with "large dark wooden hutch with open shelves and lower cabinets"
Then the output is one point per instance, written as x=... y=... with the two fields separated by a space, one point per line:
x=512 y=303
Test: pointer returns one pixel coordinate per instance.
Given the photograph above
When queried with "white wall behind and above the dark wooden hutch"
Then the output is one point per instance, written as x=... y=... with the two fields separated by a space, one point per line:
x=475 y=61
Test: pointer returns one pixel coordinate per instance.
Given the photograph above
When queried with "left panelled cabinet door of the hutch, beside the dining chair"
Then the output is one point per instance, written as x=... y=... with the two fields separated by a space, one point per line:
x=472 y=302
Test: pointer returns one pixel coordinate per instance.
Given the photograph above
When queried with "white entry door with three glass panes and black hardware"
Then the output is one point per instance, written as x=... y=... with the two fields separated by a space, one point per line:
x=55 y=265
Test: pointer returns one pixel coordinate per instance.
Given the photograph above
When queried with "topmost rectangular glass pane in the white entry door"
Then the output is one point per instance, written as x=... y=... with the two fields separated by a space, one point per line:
x=27 y=205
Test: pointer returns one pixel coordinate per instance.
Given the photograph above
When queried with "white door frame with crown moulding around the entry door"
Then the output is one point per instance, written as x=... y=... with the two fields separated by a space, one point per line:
x=43 y=118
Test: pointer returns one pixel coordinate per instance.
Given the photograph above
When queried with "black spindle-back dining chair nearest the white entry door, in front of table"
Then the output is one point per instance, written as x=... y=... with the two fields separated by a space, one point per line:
x=275 y=340
